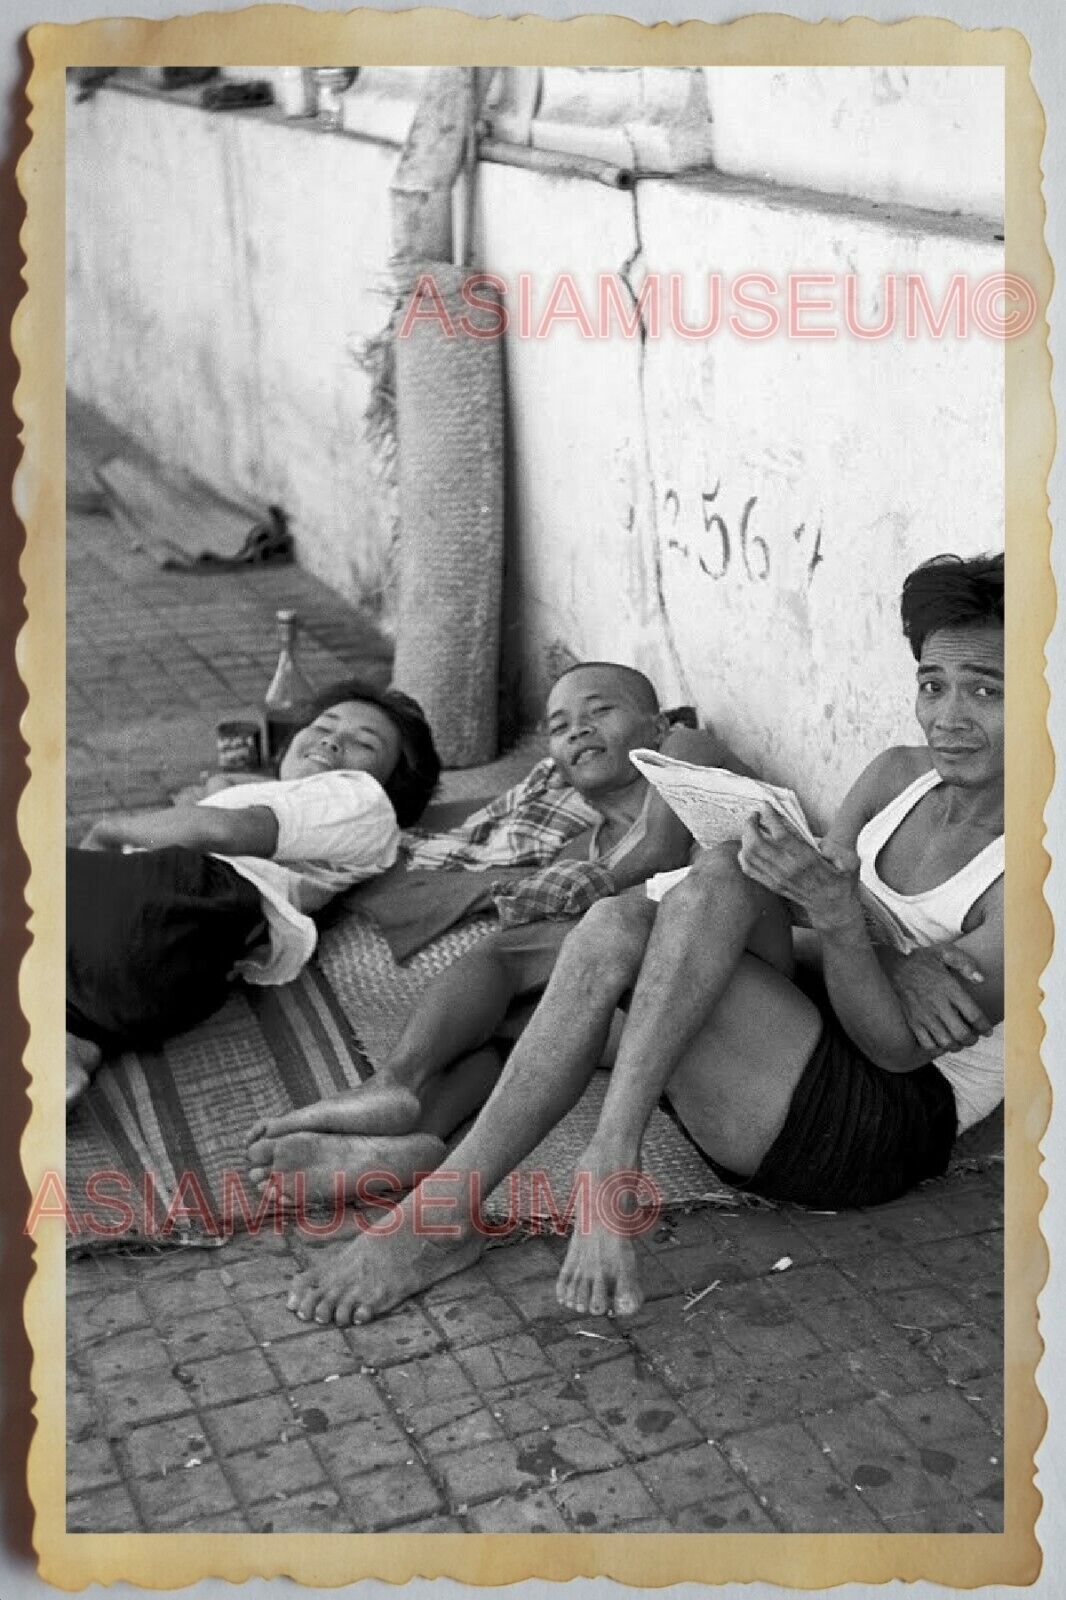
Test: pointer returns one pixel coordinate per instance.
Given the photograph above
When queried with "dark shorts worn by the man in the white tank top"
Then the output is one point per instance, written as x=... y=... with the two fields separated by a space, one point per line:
x=856 y=1135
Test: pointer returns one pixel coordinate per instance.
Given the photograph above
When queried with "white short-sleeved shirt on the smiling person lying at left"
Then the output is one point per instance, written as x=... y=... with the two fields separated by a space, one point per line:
x=334 y=830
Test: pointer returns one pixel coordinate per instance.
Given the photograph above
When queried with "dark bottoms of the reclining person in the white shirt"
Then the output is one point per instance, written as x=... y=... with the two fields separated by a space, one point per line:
x=153 y=938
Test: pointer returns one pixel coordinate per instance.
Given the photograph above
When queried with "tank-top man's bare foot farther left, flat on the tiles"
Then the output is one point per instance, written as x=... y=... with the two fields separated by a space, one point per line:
x=372 y=1274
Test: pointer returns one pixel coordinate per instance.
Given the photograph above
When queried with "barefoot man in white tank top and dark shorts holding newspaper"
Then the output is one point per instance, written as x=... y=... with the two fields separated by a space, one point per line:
x=833 y=1103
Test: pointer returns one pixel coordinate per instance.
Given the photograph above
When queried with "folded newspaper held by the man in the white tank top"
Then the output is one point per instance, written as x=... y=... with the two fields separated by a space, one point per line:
x=715 y=804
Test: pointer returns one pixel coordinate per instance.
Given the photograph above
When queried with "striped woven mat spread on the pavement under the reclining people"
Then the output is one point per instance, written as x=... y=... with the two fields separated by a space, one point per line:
x=156 y=1151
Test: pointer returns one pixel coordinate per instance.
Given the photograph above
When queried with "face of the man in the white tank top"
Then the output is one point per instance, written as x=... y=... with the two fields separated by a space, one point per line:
x=961 y=703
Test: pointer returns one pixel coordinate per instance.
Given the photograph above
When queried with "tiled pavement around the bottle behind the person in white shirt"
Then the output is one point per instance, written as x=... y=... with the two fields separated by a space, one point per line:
x=154 y=658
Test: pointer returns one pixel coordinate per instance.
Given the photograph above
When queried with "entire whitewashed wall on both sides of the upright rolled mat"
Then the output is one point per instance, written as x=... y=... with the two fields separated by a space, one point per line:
x=220 y=270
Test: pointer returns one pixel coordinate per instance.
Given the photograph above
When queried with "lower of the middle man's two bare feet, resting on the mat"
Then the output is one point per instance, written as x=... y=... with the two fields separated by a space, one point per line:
x=364 y=1166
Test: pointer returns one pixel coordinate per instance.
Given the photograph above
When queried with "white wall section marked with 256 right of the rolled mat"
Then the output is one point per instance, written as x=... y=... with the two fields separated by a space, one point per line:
x=884 y=454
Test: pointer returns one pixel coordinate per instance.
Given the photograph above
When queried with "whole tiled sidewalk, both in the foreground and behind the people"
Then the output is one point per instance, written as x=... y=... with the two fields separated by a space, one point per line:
x=857 y=1390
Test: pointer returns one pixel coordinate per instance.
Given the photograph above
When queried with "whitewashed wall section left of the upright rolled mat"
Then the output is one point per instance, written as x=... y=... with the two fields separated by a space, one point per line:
x=220 y=273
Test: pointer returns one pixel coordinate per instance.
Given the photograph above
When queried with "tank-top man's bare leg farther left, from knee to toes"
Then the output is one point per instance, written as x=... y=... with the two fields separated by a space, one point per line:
x=545 y=1078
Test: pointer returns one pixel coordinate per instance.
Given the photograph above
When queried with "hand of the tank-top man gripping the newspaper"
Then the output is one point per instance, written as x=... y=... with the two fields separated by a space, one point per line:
x=824 y=884
